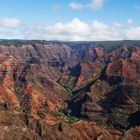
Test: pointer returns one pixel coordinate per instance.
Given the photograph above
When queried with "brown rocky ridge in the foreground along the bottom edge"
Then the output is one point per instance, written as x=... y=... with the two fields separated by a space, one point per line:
x=17 y=126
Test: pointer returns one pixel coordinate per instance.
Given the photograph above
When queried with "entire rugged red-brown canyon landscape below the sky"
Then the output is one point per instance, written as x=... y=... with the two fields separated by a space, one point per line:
x=53 y=90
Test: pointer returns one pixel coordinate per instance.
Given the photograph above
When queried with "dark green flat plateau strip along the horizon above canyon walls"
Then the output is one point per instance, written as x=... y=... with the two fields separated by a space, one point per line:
x=107 y=45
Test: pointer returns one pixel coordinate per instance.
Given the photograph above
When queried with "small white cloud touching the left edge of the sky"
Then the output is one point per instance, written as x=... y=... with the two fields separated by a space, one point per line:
x=9 y=22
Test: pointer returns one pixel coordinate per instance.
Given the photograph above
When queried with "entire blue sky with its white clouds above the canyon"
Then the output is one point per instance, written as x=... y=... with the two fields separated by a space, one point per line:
x=70 y=19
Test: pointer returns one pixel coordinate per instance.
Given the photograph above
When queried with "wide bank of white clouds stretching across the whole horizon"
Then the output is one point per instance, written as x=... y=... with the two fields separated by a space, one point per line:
x=75 y=30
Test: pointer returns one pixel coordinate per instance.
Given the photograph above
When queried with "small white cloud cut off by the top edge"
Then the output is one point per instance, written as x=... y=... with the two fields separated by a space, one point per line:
x=96 y=4
